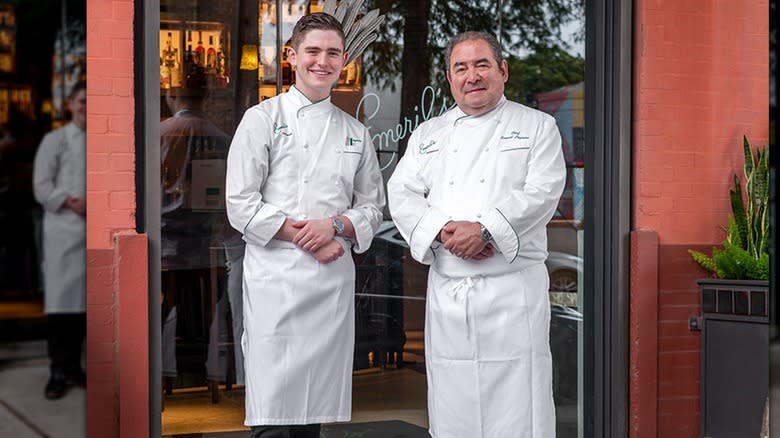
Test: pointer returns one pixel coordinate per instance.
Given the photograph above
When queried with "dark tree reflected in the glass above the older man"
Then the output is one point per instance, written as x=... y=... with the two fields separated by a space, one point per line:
x=415 y=32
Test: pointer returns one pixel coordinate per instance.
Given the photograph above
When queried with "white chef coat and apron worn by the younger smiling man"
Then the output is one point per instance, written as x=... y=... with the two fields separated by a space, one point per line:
x=291 y=158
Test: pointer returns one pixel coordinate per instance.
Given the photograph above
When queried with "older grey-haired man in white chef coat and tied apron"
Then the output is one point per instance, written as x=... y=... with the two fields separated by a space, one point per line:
x=472 y=196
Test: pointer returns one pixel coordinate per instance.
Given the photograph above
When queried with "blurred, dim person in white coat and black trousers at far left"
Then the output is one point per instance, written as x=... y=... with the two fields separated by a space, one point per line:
x=59 y=185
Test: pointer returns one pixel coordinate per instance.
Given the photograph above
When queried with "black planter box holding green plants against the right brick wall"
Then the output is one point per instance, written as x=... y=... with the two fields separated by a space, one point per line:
x=734 y=357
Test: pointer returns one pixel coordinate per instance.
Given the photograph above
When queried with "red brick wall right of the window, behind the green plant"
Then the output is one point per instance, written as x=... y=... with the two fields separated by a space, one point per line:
x=700 y=83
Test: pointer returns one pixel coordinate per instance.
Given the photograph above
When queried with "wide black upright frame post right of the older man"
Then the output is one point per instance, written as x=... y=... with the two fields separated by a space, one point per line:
x=608 y=85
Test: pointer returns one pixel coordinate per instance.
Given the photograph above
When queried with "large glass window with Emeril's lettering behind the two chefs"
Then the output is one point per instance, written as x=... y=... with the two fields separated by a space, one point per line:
x=219 y=58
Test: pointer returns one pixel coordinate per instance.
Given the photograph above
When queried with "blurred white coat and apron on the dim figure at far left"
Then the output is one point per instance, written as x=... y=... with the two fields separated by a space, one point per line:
x=60 y=171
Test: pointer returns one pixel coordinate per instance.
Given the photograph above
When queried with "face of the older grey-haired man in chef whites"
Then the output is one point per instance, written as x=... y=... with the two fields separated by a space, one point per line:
x=476 y=78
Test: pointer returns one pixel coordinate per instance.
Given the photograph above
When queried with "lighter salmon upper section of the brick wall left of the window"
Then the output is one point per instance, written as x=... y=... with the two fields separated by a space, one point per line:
x=110 y=139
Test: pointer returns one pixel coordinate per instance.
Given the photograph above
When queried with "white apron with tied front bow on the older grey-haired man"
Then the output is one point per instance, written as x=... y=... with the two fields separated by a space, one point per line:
x=488 y=355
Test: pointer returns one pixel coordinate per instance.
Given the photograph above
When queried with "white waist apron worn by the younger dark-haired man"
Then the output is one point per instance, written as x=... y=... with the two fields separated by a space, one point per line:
x=299 y=335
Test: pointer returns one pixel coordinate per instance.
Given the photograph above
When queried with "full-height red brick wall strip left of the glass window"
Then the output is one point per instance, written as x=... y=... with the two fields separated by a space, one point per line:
x=117 y=273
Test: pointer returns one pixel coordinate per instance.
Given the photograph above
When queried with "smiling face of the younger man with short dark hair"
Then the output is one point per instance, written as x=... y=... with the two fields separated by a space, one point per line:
x=318 y=61
